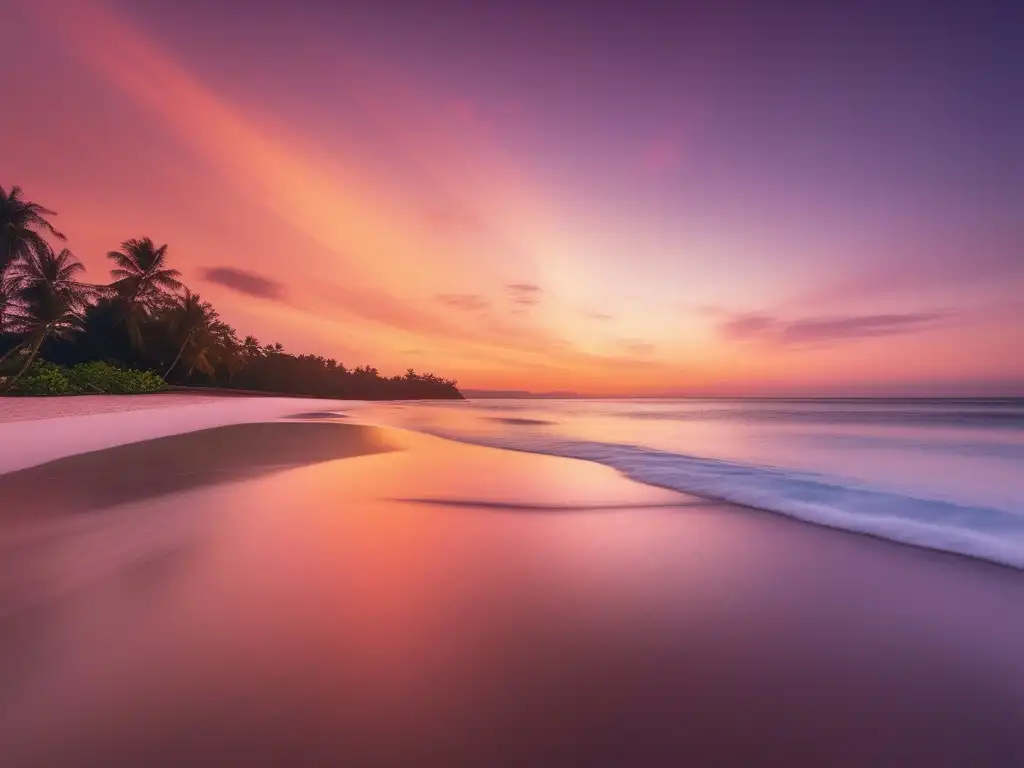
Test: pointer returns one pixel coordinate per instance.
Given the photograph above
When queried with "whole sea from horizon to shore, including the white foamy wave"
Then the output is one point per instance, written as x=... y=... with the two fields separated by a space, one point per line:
x=947 y=475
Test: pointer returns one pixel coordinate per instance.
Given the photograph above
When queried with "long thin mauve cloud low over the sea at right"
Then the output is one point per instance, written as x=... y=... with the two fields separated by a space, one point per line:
x=826 y=329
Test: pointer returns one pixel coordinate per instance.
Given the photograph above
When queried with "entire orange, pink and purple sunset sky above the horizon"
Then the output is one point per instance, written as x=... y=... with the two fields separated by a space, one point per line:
x=637 y=198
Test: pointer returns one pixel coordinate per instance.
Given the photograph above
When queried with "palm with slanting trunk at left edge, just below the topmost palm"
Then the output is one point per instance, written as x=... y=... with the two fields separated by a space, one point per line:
x=50 y=302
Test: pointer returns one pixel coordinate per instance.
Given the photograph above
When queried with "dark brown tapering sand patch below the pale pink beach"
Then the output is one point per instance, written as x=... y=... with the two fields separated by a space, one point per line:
x=169 y=465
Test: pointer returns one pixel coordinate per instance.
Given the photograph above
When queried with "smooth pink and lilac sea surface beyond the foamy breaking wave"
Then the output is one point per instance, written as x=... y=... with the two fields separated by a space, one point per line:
x=969 y=453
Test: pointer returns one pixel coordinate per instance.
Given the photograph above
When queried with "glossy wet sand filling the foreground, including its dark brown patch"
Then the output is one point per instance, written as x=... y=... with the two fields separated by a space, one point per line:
x=254 y=598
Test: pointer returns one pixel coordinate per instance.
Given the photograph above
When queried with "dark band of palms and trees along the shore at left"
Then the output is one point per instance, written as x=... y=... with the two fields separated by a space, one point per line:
x=146 y=329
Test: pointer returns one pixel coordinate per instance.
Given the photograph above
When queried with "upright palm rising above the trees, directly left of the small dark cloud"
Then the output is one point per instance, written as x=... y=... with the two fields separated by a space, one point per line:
x=142 y=282
